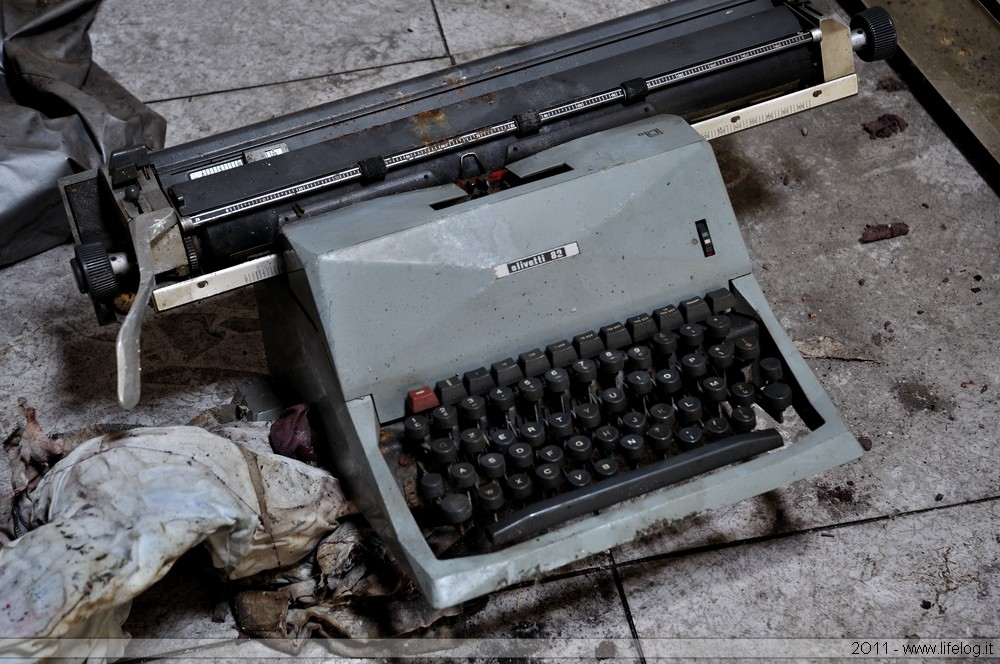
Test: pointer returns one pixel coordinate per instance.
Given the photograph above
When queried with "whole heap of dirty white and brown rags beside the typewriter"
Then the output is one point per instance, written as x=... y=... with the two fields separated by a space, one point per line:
x=111 y=515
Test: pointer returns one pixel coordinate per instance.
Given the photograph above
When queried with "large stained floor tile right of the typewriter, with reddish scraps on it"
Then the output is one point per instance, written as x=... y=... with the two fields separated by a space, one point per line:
x=922 y=387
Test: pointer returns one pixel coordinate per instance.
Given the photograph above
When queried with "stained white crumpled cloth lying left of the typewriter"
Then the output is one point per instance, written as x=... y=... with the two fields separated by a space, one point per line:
x=110 y=519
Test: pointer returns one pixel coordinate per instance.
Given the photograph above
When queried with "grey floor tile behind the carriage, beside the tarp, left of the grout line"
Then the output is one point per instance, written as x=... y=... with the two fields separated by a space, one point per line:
x=171 y=50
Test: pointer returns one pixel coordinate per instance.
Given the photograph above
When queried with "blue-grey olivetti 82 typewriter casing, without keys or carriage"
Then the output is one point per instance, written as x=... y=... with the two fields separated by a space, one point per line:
x=389 y=294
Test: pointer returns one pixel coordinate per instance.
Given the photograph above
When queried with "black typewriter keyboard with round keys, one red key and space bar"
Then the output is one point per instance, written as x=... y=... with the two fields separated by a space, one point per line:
x=556 y=433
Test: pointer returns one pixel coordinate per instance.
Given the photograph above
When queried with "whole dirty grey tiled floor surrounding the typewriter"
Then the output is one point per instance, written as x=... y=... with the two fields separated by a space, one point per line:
x=902 y=543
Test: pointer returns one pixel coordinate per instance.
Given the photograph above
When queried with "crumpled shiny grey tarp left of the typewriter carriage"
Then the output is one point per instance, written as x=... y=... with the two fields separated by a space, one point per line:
x=59 y=114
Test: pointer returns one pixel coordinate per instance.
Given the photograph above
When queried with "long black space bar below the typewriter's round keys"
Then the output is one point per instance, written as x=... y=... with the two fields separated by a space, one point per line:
x=629 y=484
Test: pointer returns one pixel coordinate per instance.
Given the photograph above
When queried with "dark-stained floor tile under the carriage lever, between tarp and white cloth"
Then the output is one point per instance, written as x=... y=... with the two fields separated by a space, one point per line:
x=55 y=356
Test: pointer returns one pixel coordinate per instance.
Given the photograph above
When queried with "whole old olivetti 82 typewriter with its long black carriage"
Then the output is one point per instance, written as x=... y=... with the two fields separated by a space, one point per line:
x=515 y=292
